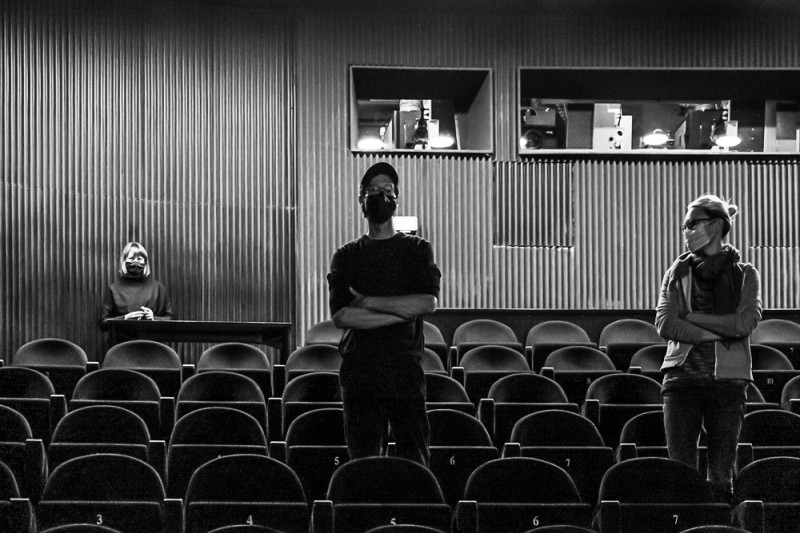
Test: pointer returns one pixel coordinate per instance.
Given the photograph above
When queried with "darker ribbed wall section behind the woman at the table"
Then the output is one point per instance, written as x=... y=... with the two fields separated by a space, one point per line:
x=165 y=123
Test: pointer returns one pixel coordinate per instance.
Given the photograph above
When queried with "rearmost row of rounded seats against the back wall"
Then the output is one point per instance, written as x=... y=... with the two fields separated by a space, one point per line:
x=620 y=339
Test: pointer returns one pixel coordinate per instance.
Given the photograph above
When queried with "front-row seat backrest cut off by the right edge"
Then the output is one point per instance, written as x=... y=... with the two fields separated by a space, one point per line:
x=772 y=479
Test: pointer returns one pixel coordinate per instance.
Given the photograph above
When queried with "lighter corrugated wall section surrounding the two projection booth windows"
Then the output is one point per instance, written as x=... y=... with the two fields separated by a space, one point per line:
x=625 y=212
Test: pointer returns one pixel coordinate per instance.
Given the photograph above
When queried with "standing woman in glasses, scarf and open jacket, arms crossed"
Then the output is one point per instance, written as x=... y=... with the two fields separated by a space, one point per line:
x=709 y=304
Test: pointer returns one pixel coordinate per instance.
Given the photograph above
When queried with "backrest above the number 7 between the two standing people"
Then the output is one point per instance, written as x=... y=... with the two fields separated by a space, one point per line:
x=555 y=427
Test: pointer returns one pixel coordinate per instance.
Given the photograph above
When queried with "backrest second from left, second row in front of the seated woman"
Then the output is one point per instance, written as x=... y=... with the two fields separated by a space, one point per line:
x=116 y=384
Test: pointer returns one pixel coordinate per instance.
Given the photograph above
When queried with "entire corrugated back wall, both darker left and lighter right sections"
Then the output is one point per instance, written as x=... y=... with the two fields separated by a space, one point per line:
x=174 y=123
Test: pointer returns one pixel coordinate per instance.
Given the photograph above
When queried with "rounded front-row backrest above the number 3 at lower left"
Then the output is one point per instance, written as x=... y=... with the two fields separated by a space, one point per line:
x=104 y=477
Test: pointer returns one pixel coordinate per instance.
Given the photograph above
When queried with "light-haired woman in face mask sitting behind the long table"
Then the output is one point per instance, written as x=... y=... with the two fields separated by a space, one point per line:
x=136 y=295
